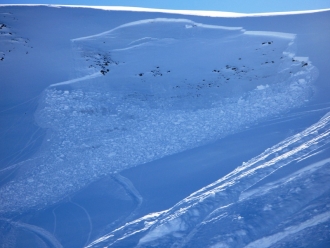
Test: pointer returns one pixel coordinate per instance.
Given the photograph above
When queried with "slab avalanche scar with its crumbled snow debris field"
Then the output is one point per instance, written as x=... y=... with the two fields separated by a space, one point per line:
x=153 y=88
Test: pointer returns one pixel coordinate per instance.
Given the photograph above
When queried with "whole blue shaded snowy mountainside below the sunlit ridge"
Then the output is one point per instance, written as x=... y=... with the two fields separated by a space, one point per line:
x=115 y=93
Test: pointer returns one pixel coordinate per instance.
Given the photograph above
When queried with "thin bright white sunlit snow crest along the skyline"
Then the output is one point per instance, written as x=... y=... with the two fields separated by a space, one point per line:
x=209 y=13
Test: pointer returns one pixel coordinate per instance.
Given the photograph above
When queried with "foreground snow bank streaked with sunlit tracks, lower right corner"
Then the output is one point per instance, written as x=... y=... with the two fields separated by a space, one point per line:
x=246 y=207
